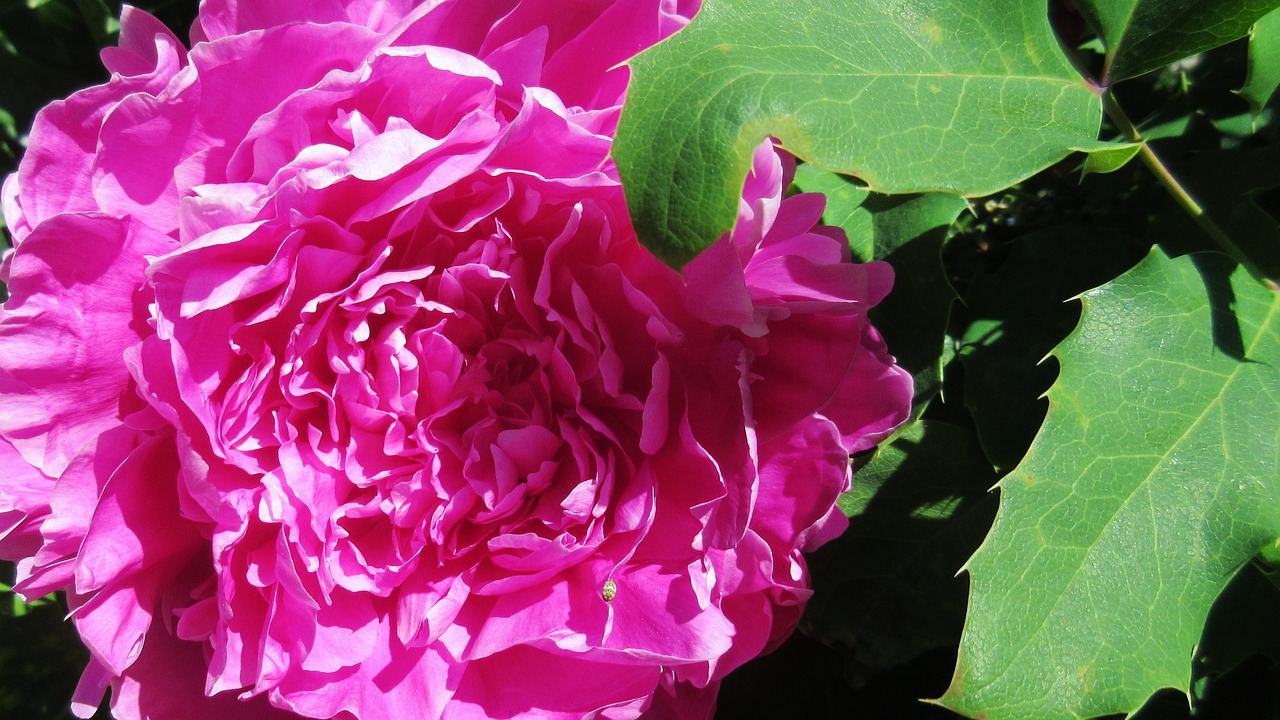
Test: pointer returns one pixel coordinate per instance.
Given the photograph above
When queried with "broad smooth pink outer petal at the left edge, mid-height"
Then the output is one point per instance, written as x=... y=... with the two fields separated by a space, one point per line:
x=75 y=285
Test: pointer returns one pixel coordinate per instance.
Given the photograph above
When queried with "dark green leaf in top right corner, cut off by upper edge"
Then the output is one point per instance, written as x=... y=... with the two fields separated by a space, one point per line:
x=1146 y=35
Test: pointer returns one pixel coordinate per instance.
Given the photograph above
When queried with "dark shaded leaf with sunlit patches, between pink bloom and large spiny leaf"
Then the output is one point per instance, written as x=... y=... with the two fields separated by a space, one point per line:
x=888 y=587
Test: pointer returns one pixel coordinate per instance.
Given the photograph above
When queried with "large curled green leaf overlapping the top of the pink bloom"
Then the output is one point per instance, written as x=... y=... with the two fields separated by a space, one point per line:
x=908 y=97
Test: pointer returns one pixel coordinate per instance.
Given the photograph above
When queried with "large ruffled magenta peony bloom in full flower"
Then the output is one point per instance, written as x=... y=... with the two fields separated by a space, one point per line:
x=336 y=382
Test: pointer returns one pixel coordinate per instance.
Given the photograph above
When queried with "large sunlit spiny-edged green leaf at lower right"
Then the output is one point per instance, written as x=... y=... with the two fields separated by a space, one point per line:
x=1151 y=484
